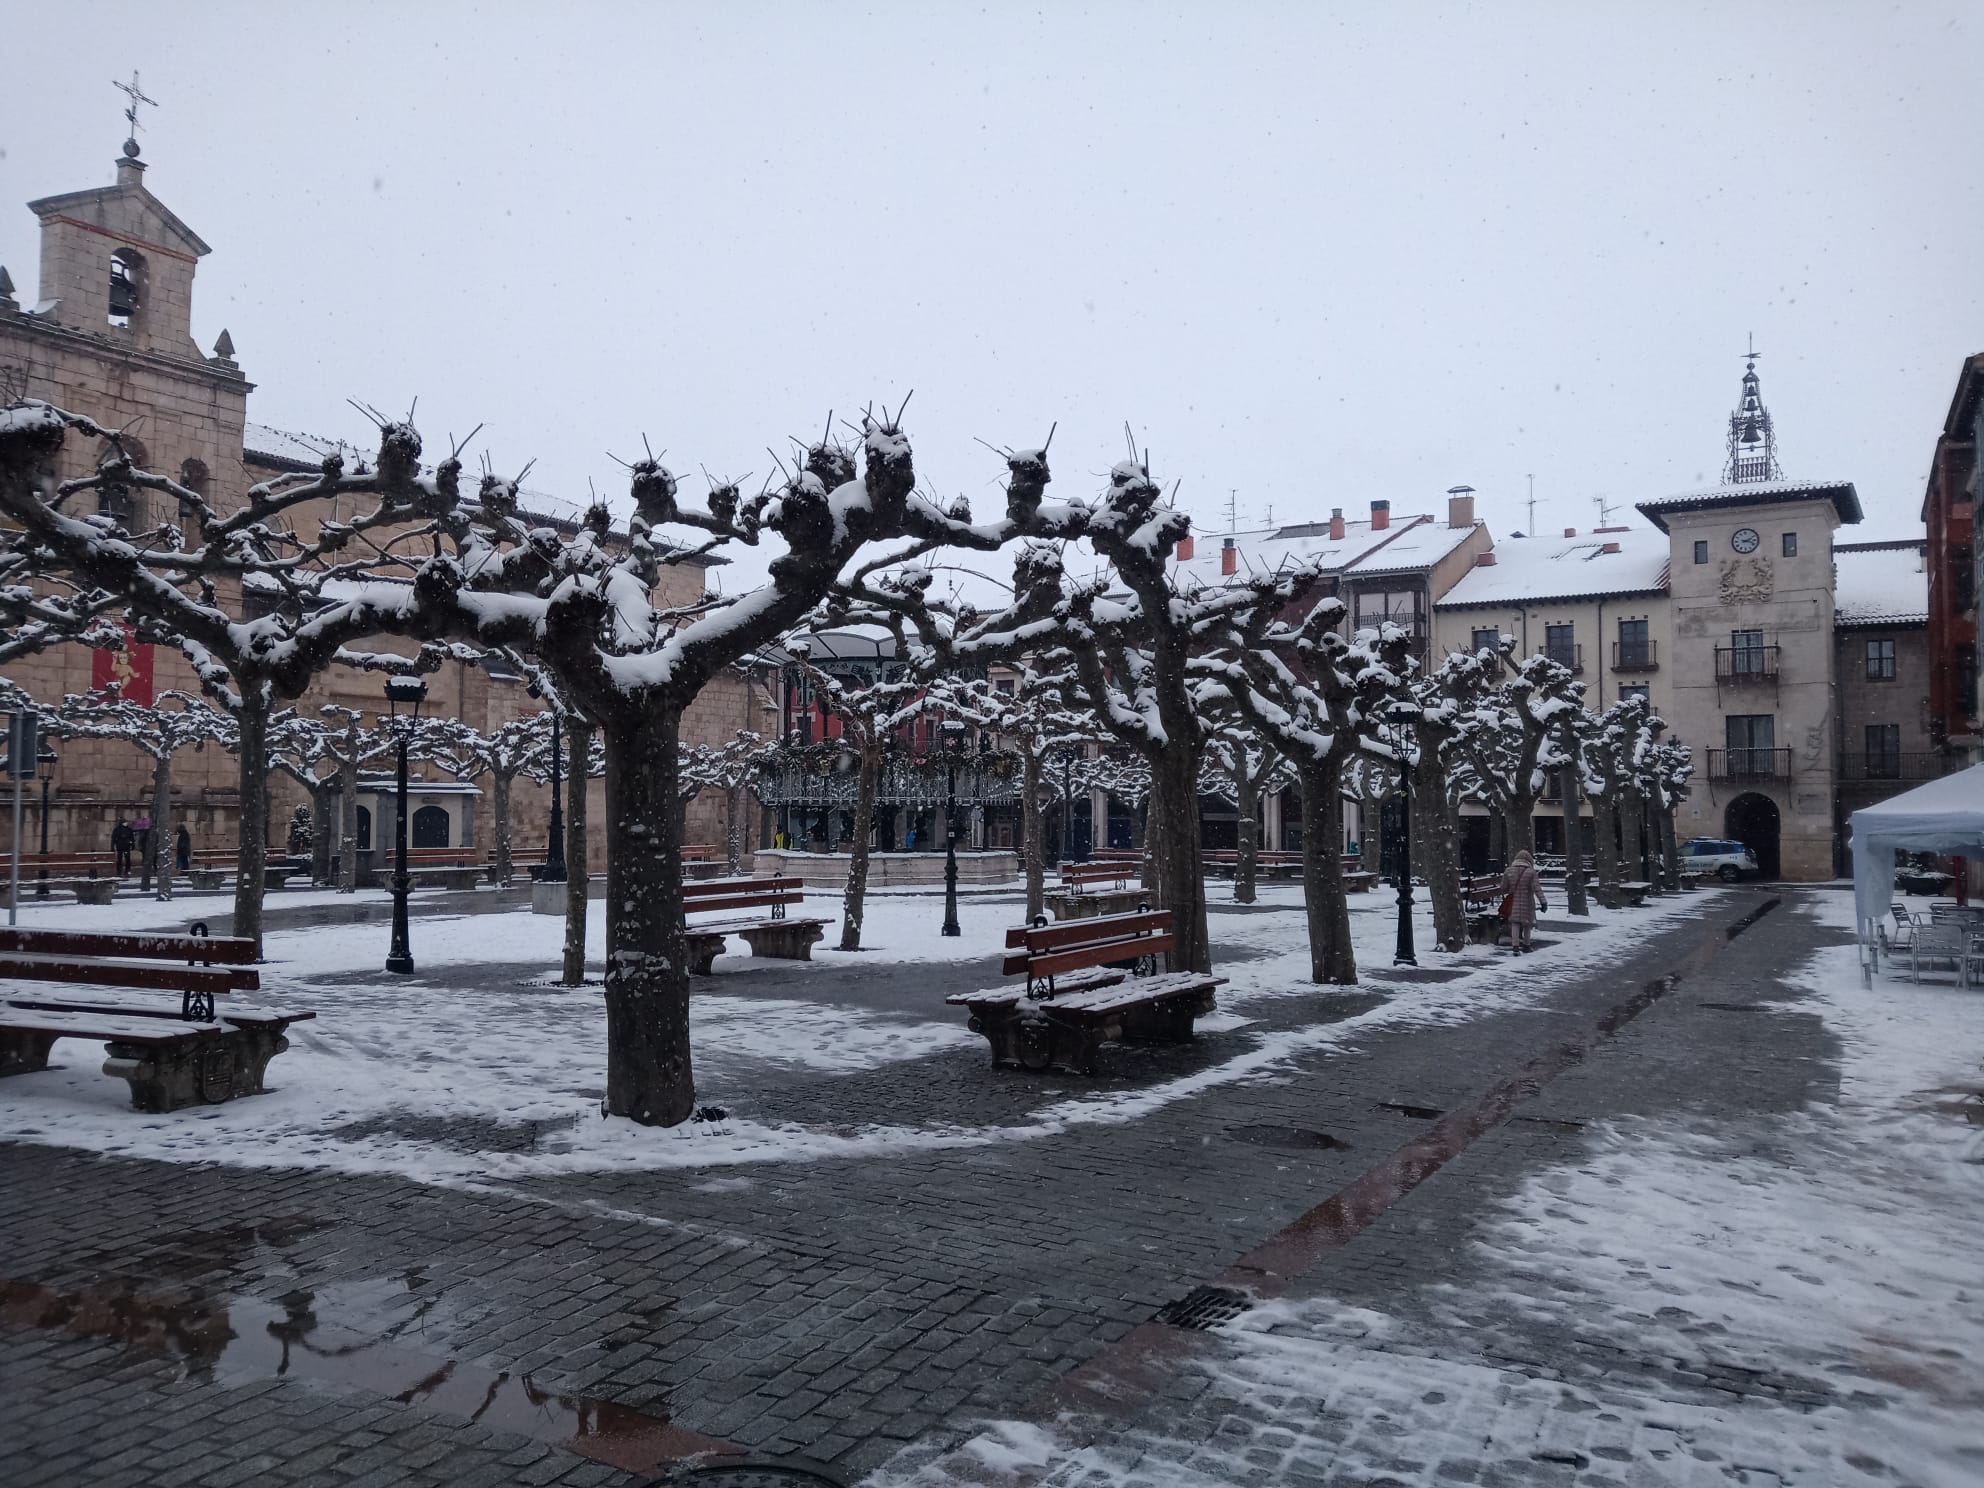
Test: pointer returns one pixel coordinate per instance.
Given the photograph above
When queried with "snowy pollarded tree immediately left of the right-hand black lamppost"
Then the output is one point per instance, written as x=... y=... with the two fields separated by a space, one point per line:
x=1318 y=699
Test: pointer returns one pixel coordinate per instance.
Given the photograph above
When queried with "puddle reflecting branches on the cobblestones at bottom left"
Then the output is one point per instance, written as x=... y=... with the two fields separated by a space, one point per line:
x=241 y=1340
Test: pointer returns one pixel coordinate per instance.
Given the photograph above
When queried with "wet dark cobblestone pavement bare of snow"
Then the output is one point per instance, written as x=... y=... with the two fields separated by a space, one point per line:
x=844 y=1310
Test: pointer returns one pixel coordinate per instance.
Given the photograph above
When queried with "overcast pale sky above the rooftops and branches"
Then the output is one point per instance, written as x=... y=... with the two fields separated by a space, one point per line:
x=1314 y=255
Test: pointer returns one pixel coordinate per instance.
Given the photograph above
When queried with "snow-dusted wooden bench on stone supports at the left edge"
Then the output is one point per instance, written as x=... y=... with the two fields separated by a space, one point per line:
x=170 y=1056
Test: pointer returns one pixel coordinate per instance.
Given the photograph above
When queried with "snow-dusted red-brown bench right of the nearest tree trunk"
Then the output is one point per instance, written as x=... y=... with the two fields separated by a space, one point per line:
x=1088 y=983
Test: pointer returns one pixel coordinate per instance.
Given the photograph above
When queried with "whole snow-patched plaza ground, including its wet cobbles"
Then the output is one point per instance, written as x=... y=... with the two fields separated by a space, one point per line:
x=1519 y=1235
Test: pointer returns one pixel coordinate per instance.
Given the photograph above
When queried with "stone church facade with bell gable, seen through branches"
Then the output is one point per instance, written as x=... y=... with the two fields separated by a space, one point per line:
x=110 y=336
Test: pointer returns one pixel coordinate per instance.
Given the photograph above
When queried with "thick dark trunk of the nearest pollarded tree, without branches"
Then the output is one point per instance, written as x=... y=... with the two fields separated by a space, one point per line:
x=650 y=1074
